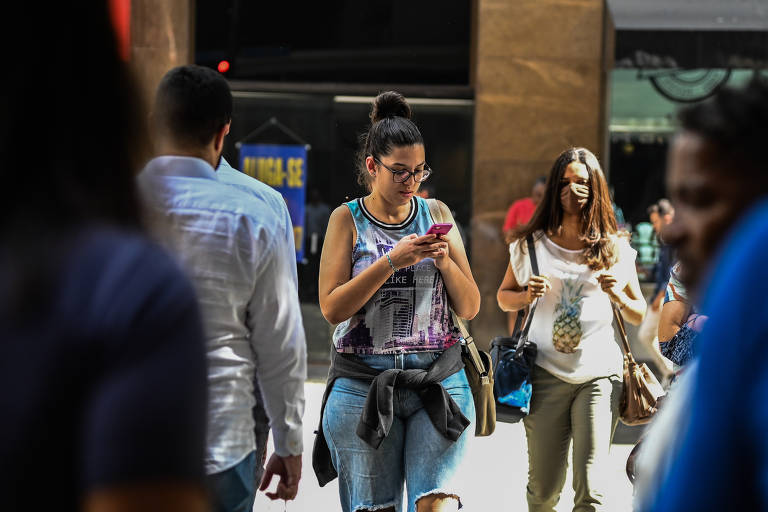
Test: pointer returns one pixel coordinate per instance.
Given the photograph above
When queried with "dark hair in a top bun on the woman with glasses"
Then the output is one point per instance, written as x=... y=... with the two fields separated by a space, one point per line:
x=391 y=127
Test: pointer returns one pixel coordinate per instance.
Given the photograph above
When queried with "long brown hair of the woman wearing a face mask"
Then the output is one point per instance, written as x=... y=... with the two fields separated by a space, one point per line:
x=598 y=221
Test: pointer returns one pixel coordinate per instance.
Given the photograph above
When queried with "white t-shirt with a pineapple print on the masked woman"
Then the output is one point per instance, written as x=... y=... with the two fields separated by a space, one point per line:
x=573 y=322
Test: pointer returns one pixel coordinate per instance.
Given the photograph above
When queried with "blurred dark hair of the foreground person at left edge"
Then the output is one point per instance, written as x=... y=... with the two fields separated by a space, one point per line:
x=72 y=139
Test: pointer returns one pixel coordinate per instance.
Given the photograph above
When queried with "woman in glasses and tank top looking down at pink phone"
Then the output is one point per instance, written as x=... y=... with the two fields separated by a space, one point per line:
x=390 y=288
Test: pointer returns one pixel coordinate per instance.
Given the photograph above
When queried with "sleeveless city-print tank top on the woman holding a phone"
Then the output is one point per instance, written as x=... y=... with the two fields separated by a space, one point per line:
x=410 y=312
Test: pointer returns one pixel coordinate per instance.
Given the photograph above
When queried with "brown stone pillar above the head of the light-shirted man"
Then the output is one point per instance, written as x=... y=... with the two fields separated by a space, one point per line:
x=162 y=36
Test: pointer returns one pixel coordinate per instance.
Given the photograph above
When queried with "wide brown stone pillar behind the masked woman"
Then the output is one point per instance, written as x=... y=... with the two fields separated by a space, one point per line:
x=540 y=75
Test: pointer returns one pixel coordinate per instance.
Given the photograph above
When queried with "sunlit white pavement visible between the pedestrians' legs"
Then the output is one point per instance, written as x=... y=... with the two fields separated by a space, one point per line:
x=496 y=468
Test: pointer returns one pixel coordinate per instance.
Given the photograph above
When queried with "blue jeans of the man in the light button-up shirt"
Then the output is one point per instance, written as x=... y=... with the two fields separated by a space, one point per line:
x=233 y=490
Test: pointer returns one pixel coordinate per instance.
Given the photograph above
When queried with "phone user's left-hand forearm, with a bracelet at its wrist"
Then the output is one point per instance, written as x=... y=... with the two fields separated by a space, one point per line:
x=348 y=298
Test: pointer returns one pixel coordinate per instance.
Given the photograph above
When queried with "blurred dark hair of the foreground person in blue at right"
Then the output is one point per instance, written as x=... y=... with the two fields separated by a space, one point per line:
x=735 y=122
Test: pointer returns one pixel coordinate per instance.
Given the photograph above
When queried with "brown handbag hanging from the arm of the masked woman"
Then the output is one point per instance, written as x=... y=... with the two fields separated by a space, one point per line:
x=641 y=393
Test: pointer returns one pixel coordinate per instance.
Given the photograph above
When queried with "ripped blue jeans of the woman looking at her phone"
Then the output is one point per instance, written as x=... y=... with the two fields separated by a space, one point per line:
x=413 y=454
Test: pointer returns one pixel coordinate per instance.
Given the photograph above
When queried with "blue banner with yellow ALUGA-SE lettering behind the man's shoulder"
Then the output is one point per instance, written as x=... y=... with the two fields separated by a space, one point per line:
x=284 y=168
